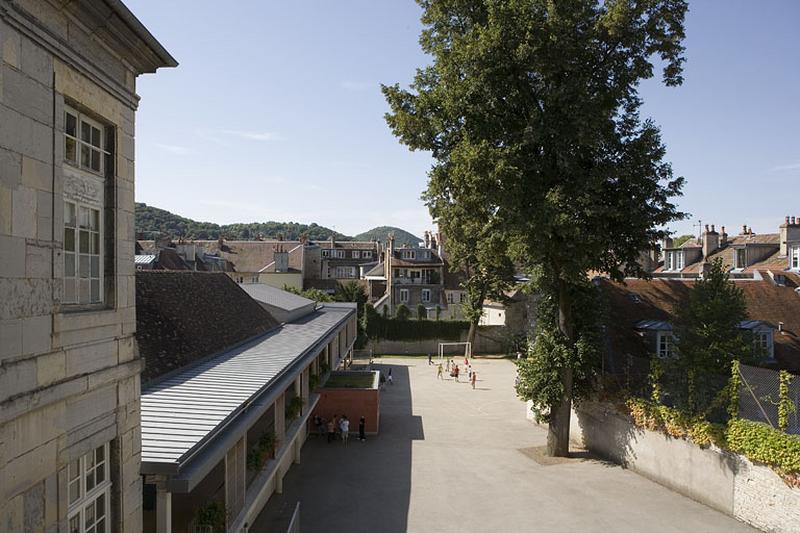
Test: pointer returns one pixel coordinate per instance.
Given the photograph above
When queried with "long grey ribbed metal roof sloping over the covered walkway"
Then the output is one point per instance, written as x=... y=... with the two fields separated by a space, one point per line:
x=180 y=411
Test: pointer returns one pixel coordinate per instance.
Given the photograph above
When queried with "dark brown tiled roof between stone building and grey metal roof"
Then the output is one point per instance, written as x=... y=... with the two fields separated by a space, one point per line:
x=184 y=316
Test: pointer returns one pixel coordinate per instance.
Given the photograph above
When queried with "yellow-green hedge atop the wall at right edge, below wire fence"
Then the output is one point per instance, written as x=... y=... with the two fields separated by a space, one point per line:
x=762 y=443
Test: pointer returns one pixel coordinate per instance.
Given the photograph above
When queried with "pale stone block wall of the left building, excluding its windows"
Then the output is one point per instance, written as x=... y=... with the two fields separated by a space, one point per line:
x=69 y=377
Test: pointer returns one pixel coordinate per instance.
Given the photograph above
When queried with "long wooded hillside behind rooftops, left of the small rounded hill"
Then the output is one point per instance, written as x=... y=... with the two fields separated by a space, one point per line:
x=151 y=220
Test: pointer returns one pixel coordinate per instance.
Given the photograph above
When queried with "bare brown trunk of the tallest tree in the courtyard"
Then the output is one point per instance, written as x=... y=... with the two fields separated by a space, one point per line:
x=558 y=429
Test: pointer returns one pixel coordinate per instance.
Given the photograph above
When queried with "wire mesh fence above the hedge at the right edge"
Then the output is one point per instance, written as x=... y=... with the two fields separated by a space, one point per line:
x=759 y=397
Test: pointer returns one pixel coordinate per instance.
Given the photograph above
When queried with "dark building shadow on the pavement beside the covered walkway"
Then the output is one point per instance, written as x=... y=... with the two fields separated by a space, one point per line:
x=360 y=487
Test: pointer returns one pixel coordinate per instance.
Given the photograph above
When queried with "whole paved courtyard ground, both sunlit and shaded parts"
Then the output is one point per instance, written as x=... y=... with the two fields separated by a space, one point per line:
x=452 y=459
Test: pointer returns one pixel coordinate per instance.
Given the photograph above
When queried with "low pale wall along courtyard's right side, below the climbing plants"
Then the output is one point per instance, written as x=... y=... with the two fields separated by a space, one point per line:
x=728 y=482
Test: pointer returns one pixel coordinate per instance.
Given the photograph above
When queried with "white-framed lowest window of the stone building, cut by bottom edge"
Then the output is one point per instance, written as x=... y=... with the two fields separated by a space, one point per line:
x=89 y=491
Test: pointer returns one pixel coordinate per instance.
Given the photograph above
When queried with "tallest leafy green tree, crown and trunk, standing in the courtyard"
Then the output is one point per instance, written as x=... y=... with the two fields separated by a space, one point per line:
x=542 y=97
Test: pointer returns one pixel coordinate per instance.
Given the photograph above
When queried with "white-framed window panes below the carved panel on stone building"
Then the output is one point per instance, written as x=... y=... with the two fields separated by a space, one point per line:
x=83 y=265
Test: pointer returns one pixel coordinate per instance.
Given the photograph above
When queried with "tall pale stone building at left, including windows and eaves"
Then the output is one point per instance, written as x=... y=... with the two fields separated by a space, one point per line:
x=69 y=374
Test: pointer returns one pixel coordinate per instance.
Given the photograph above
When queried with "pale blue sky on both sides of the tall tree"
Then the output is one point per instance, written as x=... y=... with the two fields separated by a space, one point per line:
x=275 y=113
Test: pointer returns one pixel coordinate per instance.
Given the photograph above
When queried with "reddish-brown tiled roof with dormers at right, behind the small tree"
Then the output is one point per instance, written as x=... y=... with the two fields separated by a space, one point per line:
x=657 y=300
